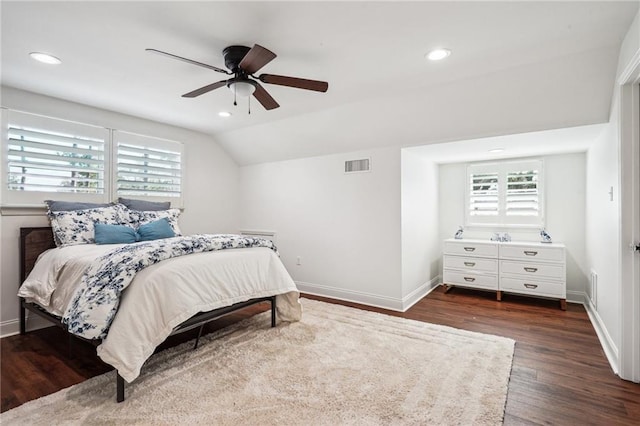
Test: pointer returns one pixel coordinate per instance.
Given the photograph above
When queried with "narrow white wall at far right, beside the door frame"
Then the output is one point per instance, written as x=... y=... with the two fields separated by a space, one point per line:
x=603 y=227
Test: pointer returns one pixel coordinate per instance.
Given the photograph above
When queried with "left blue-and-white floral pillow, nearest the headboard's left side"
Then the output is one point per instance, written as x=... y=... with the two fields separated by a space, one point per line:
x=76 y=226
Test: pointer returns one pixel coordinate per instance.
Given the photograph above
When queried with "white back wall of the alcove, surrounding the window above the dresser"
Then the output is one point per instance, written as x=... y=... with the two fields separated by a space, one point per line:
x=564 y=205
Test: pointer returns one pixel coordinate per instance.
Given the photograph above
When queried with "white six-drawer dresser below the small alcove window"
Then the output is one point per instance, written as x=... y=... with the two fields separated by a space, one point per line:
x=529 y=268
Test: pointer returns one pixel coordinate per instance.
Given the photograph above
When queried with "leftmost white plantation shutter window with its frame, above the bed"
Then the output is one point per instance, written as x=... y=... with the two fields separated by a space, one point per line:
x=45 y=155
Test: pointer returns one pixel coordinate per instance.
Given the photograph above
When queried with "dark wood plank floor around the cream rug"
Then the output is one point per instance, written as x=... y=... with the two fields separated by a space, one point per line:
x=560 y=374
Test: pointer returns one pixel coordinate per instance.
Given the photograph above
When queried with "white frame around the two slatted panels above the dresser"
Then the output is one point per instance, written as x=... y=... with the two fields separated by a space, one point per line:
x=501 y=219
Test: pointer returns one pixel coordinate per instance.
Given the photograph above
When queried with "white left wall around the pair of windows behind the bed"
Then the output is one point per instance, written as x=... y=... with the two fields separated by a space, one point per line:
x=210 y=186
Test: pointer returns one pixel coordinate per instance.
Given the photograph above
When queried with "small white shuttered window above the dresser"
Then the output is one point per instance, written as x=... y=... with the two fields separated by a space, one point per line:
x=506 y=193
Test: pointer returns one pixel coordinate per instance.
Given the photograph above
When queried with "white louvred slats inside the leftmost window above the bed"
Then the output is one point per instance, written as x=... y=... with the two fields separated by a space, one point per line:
x=43 y=158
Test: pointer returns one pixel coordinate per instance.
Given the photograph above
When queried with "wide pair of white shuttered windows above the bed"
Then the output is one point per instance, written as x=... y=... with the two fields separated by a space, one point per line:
x=47 y=158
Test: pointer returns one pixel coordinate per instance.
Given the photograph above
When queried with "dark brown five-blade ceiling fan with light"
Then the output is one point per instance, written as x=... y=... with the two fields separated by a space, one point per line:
x=243 y=62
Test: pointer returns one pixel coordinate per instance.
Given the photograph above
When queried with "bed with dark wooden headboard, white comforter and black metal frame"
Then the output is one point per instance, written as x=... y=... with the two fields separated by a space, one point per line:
x=160 y=298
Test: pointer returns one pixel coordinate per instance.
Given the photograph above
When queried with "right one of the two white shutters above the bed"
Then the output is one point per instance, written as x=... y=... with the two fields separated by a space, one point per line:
x=148 y=167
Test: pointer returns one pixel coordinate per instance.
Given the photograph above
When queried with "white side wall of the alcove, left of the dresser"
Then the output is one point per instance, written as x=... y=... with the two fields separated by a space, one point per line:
x=421 y=249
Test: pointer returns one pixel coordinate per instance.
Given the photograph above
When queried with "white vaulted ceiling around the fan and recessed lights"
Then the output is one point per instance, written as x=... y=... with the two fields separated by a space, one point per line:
x=515 y=67
